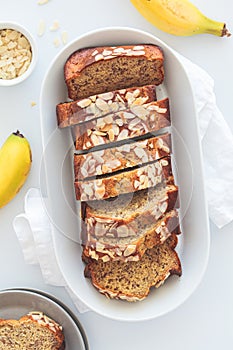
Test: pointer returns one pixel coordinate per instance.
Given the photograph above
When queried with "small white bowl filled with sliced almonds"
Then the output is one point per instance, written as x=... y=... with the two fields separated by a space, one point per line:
x=18 y=53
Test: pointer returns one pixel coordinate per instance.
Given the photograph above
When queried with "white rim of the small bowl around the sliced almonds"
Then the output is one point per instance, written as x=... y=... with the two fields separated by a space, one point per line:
x=29 y=37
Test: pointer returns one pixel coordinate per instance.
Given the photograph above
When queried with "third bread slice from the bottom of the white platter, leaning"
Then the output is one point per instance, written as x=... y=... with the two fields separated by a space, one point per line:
x=123 y=216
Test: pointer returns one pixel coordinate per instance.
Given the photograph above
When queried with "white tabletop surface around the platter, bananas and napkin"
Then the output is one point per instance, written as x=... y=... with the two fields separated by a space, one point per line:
x=205 y=320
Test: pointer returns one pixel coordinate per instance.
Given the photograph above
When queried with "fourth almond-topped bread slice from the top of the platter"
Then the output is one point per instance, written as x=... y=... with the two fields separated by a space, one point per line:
x=123 y=157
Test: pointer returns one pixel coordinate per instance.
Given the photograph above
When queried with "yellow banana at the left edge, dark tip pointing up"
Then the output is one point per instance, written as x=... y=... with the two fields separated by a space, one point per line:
x=15 y=164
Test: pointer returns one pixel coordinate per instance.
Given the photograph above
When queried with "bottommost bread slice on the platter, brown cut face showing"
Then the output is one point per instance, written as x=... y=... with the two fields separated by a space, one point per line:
x=133 y=280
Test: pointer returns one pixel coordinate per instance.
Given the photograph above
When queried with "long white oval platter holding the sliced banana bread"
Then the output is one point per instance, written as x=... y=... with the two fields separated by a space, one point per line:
x=57 y=183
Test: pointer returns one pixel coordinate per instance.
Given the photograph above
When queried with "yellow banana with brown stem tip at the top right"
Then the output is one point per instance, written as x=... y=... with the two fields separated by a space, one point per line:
x=179 y=17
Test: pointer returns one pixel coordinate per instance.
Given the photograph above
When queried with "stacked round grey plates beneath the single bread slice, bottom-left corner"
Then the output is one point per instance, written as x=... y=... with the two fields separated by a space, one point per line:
x=17 y=302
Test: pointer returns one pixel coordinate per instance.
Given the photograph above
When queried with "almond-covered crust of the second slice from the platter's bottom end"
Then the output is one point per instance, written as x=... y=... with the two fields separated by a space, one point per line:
x=132 y=248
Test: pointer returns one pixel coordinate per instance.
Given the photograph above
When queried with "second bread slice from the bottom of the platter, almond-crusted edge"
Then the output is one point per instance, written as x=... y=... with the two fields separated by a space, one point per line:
x=128 y=242
